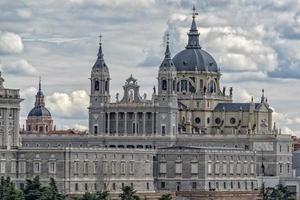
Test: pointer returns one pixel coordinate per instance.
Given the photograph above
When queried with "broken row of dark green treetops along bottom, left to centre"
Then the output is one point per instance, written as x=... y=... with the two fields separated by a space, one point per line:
x=35 y=191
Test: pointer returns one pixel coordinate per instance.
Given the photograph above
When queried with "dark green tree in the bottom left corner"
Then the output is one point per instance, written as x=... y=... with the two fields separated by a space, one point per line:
x=9 y=191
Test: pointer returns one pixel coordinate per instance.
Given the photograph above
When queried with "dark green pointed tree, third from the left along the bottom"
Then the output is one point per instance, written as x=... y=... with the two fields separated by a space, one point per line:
x=51 y=192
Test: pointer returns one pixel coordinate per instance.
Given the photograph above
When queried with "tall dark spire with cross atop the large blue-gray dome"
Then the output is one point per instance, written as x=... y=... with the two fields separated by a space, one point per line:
x=193 y=34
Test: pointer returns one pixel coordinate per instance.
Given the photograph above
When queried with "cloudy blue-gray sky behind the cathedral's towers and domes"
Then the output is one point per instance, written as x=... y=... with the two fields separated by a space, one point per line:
x=254 y=42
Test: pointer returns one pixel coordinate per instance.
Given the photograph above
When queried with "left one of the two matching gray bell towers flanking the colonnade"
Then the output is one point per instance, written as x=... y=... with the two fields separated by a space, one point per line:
x=100 y=95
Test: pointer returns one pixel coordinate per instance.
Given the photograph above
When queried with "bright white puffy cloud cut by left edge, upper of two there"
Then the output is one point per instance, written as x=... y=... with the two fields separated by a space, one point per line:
x=10 y=43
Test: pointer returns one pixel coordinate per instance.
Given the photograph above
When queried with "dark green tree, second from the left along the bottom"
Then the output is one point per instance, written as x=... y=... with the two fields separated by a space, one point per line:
x=33 y=189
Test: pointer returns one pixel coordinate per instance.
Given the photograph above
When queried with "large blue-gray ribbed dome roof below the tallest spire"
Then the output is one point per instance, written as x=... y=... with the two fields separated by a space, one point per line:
x=189 y=58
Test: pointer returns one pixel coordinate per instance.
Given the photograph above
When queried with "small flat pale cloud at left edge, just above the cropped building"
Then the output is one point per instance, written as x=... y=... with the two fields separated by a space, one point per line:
x=20 y=67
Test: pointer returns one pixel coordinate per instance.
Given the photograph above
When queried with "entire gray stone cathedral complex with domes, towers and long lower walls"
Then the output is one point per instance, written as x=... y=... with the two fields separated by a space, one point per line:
x=188 y=137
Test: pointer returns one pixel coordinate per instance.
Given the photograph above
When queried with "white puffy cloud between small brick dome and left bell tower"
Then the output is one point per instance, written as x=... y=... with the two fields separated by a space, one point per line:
x=72 y=105
